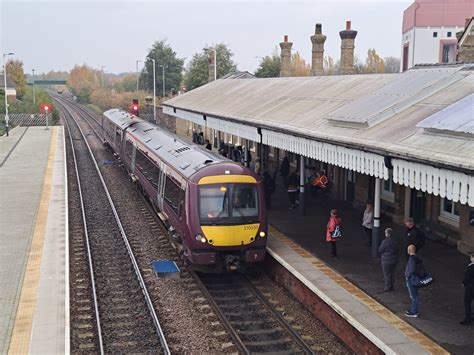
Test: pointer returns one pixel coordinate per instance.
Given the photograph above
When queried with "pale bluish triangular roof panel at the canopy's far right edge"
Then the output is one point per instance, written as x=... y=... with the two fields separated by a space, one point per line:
x=456 y=118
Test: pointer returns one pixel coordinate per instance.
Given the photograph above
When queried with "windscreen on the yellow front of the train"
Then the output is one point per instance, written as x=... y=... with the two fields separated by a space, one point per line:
x=228 y=204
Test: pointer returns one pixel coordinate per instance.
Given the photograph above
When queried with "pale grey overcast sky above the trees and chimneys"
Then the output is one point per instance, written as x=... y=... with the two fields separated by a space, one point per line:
x=56 y=35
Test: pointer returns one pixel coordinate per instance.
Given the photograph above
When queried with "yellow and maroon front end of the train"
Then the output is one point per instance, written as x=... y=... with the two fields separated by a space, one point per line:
x=228 y=218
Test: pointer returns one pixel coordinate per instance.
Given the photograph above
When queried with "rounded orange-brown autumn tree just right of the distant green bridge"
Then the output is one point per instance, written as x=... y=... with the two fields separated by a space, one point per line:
x=82 y=81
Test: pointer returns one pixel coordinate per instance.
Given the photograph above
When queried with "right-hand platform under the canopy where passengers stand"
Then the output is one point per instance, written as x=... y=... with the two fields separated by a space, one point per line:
x=352 y=284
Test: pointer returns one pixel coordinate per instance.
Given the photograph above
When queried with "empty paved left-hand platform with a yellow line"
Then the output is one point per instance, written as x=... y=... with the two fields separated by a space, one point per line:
x=34 y=302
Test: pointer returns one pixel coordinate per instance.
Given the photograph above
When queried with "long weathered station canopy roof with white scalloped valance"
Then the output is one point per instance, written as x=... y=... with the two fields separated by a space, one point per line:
x=352 y=121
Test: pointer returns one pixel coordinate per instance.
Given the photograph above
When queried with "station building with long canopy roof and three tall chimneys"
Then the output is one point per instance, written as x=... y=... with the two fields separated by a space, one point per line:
x=404 y=140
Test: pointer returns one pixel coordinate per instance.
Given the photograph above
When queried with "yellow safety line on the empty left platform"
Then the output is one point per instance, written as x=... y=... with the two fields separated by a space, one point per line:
x=21 y=334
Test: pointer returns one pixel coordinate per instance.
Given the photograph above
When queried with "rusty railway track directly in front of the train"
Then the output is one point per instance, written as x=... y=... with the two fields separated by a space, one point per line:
x=253 y=323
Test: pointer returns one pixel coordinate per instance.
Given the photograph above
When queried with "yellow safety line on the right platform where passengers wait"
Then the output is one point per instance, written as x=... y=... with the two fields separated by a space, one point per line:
x=423 y=340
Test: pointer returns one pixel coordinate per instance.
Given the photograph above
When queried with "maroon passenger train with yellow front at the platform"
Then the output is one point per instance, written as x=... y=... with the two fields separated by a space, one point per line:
x=213 y=208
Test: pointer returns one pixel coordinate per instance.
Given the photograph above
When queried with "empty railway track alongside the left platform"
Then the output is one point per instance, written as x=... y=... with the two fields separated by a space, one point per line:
x=113 y=310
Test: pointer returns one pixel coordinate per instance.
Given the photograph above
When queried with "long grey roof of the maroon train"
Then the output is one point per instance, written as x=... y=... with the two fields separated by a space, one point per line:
x=185 y=157
